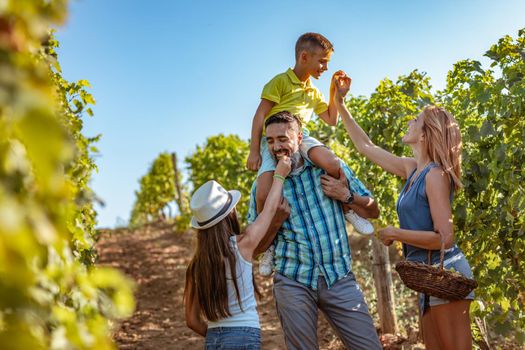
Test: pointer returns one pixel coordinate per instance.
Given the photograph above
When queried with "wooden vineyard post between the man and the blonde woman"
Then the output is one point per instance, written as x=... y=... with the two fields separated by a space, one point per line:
x=383 y=282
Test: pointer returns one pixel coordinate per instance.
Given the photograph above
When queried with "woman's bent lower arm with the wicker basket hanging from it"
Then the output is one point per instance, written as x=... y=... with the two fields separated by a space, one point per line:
x=438 y=190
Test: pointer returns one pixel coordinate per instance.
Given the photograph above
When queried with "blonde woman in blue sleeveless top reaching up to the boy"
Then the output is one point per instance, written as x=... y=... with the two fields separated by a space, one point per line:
x=424 y=207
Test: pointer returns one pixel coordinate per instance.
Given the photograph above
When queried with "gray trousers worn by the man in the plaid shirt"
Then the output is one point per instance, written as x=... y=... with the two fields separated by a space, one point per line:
x=343 y=305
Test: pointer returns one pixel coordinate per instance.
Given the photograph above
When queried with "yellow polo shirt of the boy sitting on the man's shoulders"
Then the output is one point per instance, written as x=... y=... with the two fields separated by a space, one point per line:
x=292 y=95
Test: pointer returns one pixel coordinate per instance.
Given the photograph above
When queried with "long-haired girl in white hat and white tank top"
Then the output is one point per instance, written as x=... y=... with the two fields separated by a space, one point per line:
x=219 y=295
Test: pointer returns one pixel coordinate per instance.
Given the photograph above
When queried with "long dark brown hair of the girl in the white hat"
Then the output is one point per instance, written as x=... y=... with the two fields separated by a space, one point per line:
x=206 y=273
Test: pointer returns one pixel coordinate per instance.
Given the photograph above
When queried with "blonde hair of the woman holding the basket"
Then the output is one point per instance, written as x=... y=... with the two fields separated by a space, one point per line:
x=444 y=144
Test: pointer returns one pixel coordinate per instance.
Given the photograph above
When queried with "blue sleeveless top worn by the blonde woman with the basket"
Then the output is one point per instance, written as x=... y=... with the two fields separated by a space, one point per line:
x=413 y=211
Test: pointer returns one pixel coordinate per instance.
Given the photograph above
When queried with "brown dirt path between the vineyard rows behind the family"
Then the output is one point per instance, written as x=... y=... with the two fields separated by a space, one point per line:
x=156 y=258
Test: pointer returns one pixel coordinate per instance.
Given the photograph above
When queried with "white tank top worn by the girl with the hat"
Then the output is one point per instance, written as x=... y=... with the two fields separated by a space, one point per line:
x=247 y=317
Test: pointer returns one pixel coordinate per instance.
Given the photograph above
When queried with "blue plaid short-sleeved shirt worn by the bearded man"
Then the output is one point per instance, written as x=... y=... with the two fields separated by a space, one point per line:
x=313 y=240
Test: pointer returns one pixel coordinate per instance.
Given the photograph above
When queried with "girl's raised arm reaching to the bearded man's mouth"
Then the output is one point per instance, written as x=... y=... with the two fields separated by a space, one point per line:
x=255 y=232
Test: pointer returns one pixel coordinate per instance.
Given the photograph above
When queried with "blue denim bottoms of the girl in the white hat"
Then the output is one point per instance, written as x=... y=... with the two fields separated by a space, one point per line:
x=234 y=338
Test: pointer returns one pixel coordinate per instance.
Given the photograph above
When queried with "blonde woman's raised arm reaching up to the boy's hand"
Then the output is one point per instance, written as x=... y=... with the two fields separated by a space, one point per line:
x=401 y=166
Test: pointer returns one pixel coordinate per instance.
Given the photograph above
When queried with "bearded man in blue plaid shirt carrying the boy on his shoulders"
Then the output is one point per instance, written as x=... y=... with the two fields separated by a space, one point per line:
x=312 y=255
